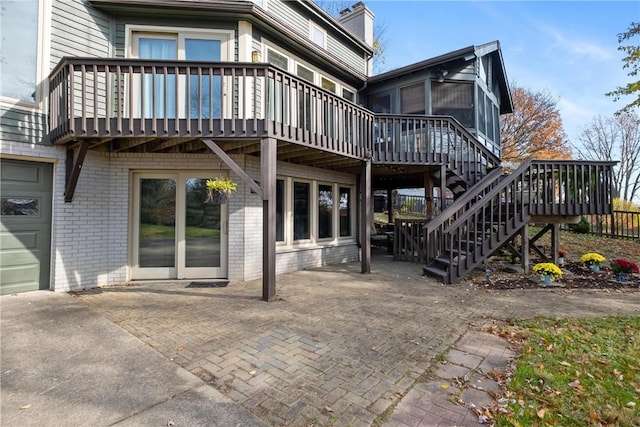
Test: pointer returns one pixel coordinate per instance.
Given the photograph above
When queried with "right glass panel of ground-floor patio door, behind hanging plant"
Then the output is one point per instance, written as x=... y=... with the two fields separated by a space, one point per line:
x=203 y=227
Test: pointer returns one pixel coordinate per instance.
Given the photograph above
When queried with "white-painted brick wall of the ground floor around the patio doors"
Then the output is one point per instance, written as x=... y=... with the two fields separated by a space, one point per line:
x=90 y=236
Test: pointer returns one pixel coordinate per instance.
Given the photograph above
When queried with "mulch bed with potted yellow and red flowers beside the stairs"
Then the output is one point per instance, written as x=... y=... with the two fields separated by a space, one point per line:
x=575 y=276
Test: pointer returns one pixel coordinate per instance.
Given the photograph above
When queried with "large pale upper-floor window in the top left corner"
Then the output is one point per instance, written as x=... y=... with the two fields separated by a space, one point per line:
x=19 y=32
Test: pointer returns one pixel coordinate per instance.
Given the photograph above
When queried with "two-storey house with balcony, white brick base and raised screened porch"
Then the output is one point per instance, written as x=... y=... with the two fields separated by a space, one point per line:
x=114 y=114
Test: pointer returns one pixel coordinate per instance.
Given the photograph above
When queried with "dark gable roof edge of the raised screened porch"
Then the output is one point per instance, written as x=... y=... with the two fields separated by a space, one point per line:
x=465 y=54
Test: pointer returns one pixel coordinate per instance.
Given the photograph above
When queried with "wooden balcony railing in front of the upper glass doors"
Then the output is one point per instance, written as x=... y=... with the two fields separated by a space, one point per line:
x=107 y=98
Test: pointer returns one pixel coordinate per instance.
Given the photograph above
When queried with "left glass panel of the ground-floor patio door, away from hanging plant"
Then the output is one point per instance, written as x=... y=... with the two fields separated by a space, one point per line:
x=156 y=237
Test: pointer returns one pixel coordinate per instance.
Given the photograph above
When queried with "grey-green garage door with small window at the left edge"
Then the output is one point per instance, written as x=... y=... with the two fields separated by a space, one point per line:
x=25 y=225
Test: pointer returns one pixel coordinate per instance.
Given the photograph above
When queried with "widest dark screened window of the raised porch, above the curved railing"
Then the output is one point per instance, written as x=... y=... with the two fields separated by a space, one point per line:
x=453 y=99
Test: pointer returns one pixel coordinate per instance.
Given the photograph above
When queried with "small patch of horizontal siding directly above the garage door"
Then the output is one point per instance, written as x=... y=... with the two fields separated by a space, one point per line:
x=21 y=125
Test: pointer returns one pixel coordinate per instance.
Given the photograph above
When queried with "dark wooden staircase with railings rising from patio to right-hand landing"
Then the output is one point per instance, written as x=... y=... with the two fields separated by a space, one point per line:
x=494 y=211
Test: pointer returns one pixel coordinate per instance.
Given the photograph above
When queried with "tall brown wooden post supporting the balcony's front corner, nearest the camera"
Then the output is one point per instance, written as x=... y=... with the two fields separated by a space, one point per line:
x=268 y=159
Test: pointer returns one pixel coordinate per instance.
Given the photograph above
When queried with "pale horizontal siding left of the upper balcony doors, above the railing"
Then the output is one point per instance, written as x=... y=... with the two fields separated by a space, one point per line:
x=77 y=29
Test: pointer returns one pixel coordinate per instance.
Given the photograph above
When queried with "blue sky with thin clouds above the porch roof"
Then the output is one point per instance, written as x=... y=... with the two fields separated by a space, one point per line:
x=568 y=48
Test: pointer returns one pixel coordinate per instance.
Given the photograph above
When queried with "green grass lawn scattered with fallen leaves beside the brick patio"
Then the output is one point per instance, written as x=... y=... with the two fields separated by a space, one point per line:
x=575 y=372
